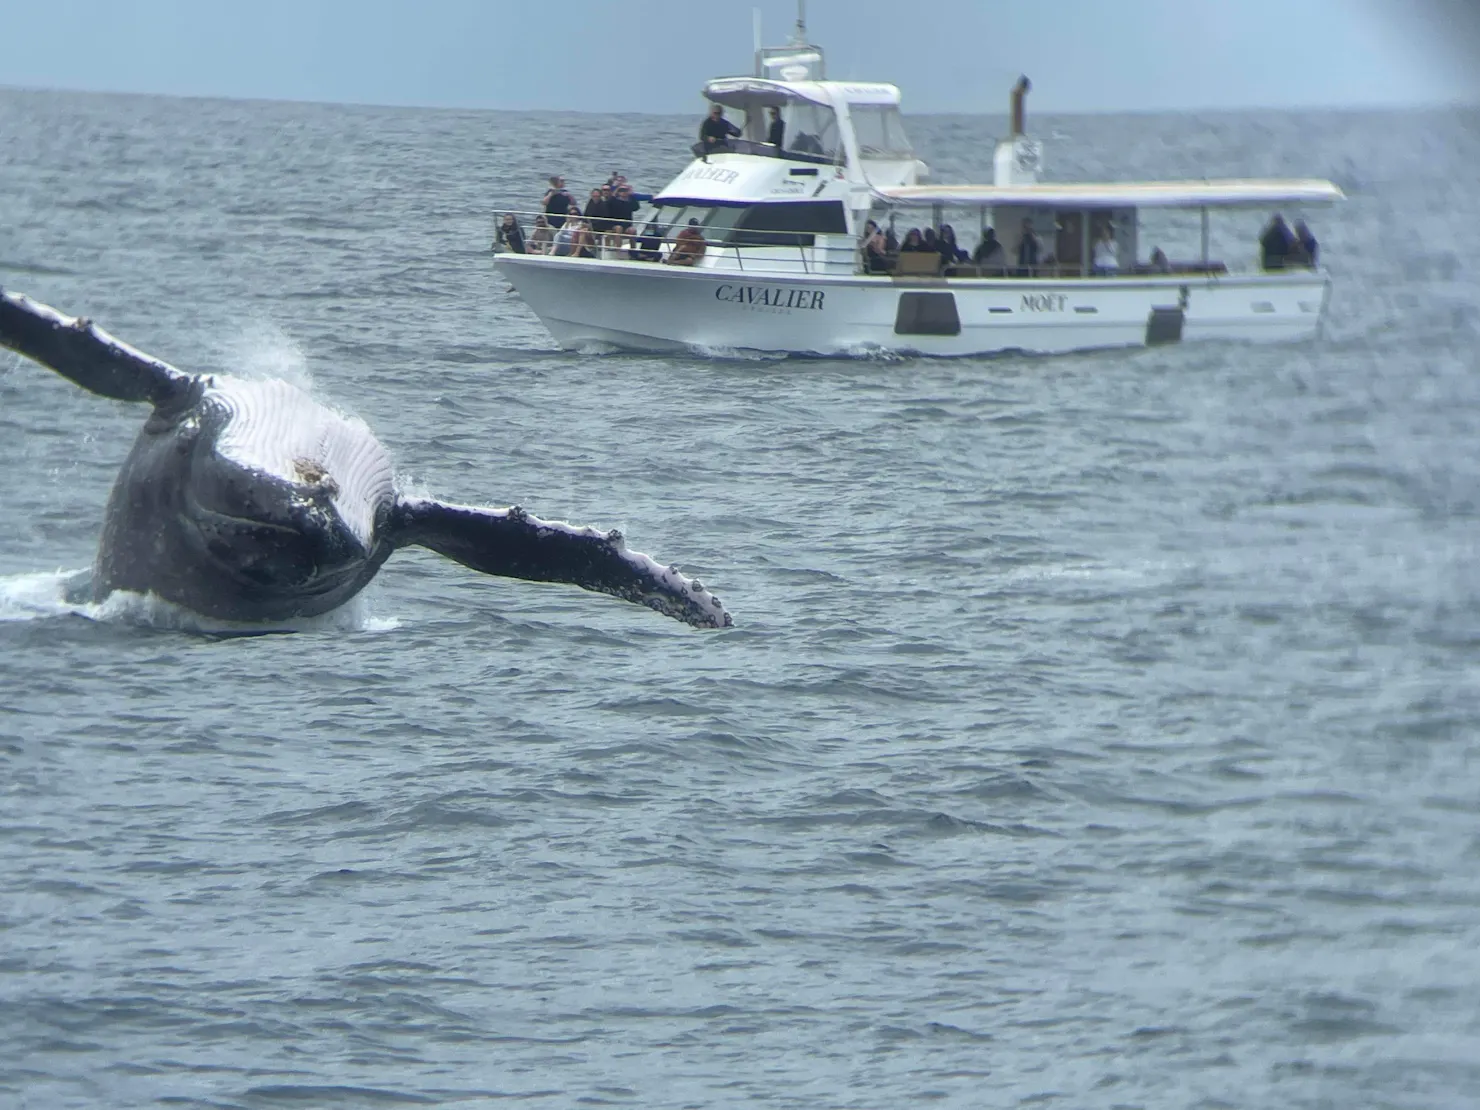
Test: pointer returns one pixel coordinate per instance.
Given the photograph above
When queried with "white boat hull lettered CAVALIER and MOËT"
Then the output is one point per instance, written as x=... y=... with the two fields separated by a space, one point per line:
x=653 y=307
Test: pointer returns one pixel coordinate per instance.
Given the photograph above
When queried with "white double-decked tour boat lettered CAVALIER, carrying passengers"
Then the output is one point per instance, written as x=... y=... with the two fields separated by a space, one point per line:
x=773 y=255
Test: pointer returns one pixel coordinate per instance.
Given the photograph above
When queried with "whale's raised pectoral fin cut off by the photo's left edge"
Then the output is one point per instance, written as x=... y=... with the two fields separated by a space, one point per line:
x=87 y=354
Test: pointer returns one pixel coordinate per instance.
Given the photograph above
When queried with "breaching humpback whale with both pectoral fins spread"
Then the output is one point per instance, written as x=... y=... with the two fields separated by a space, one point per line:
x=249 y=501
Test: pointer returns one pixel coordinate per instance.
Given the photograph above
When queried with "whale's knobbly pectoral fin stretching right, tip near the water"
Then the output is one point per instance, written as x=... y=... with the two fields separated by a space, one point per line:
x=516 y=545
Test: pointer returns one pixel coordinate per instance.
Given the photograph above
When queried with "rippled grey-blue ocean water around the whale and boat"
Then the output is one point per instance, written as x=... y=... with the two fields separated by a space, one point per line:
x=1096 y=732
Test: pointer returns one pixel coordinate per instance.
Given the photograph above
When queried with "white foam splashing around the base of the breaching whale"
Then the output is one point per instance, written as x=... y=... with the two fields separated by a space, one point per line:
x=50 y=596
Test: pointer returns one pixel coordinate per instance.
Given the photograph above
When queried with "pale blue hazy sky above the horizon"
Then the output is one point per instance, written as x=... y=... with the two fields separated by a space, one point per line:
x=655 y=55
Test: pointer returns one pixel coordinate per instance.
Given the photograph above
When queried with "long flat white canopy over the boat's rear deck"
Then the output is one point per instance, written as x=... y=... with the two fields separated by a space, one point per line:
x=1154 y=195
